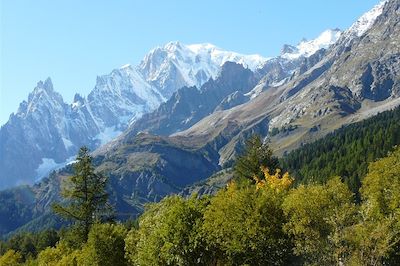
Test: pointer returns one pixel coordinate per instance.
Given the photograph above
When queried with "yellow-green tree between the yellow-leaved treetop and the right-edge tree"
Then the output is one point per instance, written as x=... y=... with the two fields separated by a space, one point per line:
x=318 y=216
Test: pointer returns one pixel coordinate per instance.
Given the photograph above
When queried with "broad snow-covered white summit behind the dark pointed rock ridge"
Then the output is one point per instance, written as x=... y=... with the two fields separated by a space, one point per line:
x=176 y=65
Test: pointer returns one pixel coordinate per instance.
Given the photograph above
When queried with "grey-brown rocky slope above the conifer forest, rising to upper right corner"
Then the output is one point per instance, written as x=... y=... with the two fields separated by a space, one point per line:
x=356 y=78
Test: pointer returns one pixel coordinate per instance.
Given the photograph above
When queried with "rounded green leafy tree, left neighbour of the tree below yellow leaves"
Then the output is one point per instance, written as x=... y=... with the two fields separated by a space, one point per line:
x=170 y=234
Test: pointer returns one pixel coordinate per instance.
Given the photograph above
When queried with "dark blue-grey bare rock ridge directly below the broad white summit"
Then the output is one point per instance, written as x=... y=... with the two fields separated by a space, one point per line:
x=189 y=104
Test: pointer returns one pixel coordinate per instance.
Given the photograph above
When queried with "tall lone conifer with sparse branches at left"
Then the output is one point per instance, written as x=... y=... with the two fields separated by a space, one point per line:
x=85 y=195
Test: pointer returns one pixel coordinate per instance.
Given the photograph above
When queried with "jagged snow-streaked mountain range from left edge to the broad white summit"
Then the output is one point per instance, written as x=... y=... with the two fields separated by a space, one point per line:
x=46 y=132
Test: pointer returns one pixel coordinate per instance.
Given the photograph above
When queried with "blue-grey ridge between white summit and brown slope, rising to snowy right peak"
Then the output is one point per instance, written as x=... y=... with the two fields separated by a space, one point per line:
x=231 y=87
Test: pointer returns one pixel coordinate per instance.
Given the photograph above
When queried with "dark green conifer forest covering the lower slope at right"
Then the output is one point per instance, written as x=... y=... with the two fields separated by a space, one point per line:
x=347 y=151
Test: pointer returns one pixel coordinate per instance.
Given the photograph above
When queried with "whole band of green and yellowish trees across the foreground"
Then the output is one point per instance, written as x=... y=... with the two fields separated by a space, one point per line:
x=263 y=223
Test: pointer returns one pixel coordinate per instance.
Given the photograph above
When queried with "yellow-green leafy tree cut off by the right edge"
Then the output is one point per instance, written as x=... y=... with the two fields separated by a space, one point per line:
x=376 y=238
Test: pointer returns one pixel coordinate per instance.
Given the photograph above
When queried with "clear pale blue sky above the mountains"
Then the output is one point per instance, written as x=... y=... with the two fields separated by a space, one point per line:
x=73 y=41
